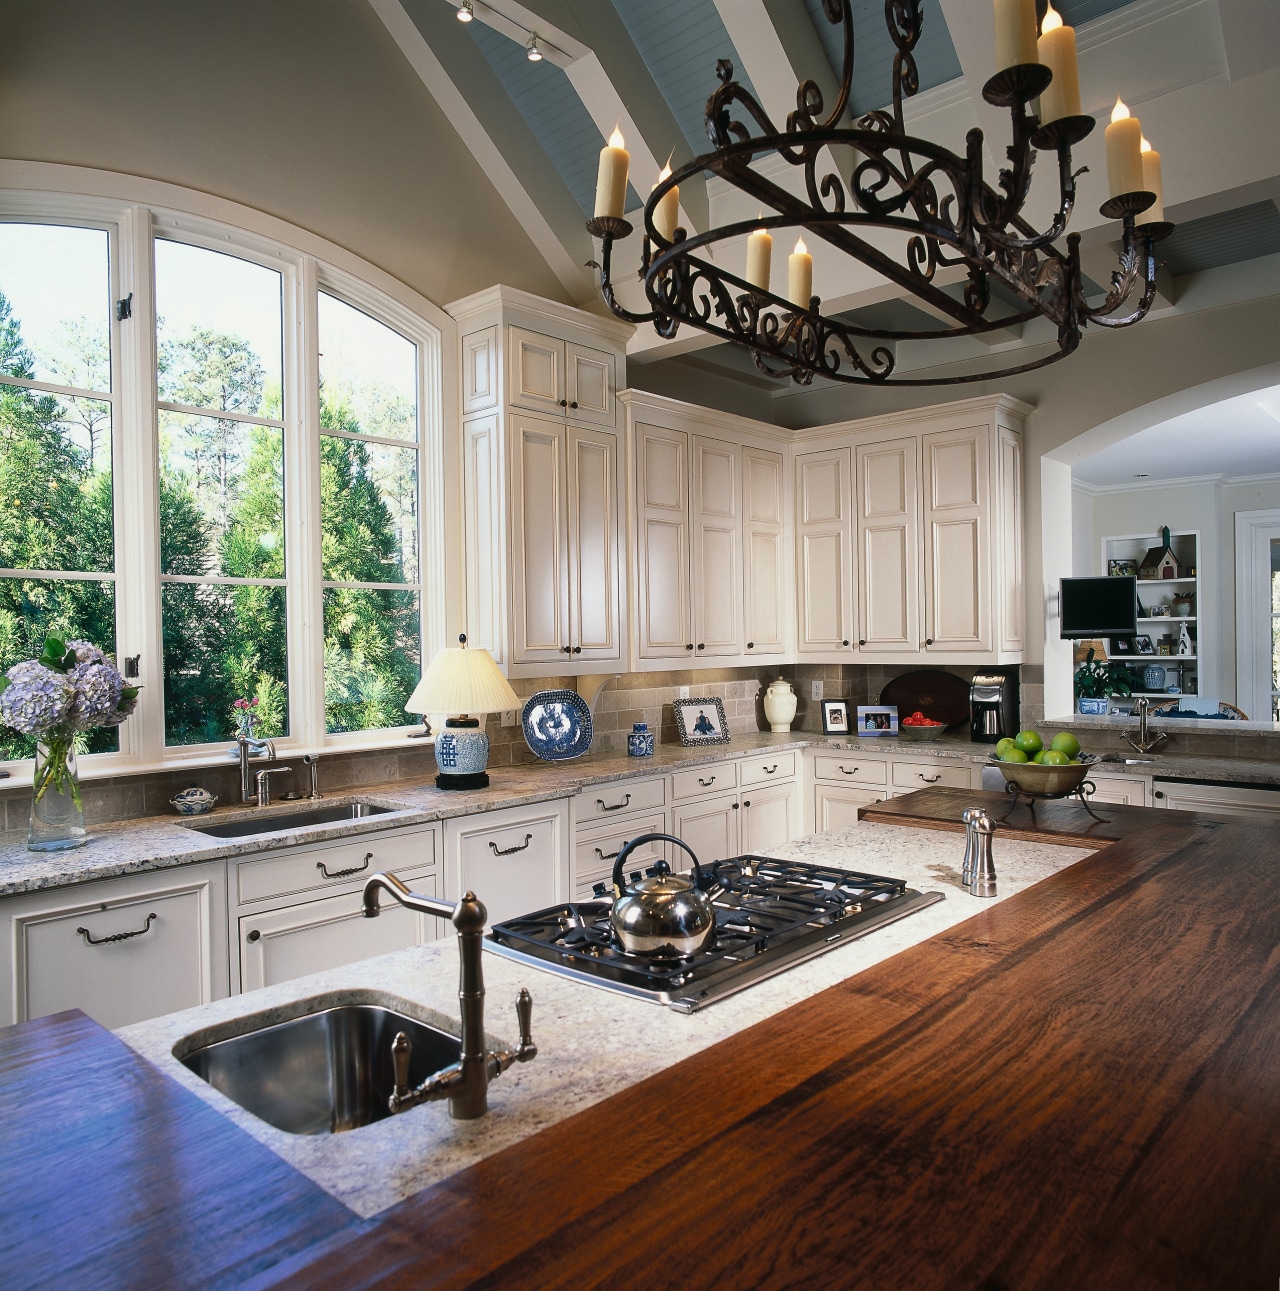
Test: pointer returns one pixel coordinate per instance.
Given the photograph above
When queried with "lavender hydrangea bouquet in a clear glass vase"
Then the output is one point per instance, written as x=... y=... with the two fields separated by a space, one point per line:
x=73 y=687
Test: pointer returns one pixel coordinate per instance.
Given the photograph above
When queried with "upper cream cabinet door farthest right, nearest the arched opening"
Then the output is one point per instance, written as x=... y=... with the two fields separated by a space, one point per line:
x=958 y=535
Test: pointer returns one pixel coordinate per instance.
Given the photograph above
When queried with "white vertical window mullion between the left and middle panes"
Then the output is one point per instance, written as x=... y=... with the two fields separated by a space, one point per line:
x=136 y=482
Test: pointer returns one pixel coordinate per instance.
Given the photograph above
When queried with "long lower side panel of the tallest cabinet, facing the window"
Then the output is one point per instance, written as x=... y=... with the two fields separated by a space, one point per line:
x=486 y=535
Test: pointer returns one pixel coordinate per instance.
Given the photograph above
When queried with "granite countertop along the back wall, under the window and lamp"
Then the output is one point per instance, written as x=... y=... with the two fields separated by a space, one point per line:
x=162 y=842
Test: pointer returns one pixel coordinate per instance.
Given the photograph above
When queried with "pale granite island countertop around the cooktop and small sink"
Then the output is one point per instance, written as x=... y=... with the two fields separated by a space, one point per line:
x=592 y=1044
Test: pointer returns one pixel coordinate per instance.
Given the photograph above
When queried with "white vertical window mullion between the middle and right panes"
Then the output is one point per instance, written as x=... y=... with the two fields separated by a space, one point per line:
x=303 y=507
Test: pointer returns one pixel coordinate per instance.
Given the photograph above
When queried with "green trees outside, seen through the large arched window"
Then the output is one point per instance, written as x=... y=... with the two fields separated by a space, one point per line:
x=222 y=513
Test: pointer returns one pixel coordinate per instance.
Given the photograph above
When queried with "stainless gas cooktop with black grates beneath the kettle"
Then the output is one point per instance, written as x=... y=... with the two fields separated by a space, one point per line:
x=769 y=916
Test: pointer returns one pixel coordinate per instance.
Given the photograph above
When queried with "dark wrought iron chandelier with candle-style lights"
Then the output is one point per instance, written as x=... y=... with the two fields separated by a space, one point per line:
x=941 y=202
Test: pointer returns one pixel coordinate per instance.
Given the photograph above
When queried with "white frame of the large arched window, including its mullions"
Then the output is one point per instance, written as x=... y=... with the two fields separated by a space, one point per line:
x=308 y=265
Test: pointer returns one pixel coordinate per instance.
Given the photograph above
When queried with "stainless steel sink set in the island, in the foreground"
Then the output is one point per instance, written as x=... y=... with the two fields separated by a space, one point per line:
x=322 y=1073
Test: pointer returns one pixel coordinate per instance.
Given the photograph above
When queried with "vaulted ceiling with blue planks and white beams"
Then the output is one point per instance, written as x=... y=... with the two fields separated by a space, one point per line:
x=1204 y=76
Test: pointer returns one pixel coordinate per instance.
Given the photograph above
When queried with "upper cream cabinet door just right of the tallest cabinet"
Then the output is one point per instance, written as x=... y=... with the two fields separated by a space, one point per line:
x=662 y=598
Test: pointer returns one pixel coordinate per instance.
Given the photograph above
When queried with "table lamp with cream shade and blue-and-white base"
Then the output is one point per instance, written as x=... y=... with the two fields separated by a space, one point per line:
x=463 y=682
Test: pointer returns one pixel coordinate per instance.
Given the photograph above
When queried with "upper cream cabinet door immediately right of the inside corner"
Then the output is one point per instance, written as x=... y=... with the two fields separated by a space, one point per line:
x=825 y=553
